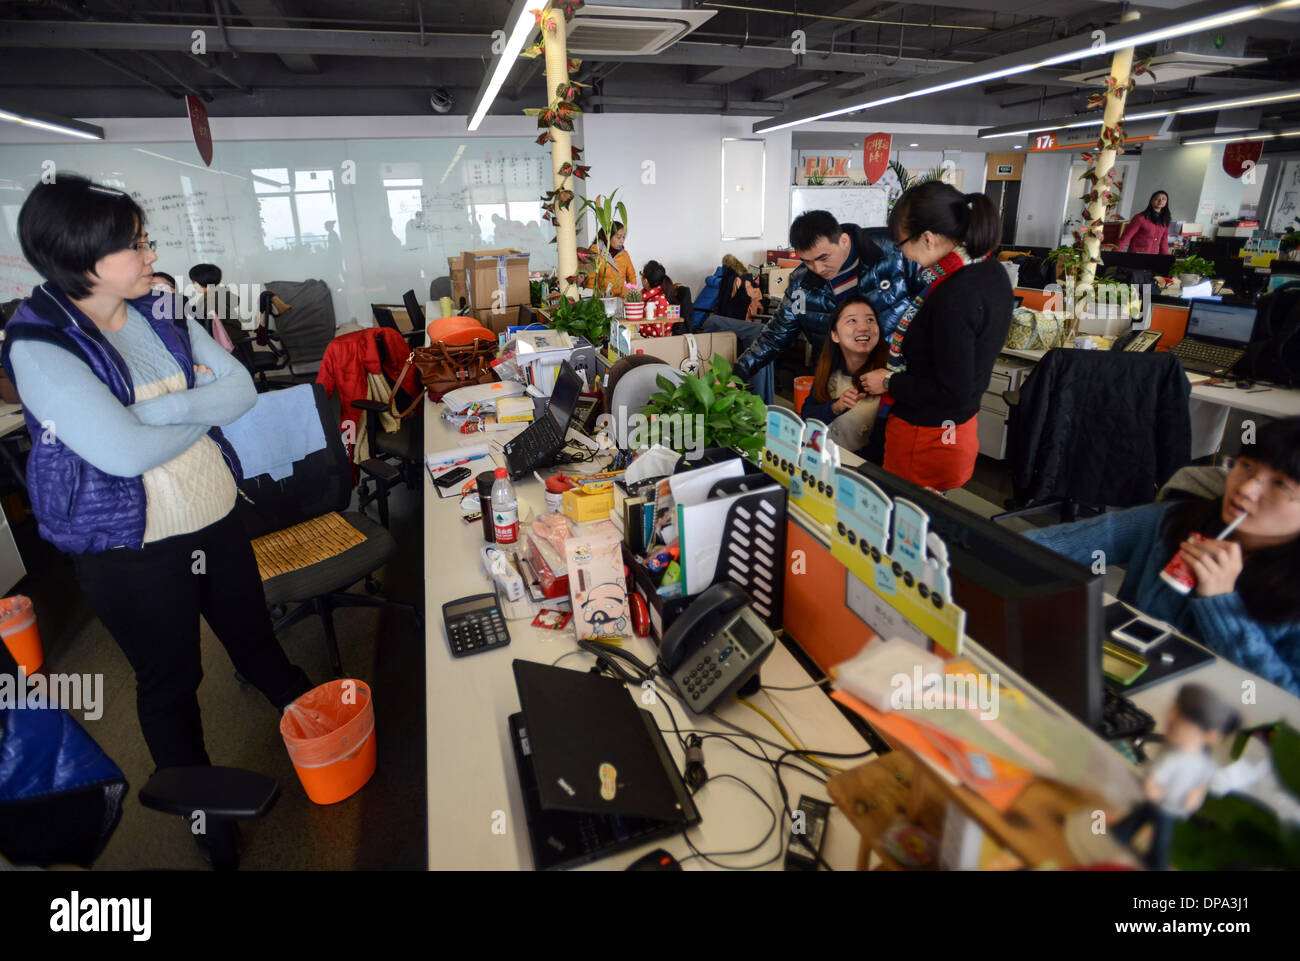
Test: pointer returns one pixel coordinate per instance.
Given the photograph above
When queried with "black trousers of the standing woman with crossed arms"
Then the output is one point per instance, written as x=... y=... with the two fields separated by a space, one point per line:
x=150 y=600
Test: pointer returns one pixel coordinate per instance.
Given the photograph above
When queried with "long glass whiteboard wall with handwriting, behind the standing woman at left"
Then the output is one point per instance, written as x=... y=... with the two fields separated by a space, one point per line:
x=372 y=219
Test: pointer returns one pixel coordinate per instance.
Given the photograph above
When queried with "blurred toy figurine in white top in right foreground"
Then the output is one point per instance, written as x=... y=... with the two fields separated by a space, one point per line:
x=1177 y=783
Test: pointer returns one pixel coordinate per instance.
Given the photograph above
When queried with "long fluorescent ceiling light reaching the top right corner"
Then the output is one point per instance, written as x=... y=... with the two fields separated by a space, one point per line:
x=1197 y=19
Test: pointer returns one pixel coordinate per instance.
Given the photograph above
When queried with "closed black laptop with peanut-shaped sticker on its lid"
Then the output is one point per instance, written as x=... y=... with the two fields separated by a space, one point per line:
x=596 y=774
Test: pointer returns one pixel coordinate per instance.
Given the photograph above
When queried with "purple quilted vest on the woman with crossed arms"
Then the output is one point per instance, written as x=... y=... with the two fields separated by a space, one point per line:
x=79 y=508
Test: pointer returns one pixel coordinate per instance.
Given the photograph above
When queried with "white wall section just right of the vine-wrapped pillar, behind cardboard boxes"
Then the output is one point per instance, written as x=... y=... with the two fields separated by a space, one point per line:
x=675 y=217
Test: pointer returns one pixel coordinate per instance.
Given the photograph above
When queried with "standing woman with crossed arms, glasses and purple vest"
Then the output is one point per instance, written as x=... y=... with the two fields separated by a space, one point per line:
x=129 y=471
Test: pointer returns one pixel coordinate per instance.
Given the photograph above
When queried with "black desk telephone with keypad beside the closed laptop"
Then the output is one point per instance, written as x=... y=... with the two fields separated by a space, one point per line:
x=716 y=647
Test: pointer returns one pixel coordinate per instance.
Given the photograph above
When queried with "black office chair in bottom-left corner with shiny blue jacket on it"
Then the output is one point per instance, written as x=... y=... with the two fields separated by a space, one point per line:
x=62 y=796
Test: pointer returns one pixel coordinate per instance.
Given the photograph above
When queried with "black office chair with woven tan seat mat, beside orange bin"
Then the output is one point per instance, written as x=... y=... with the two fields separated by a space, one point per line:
x=310 y=547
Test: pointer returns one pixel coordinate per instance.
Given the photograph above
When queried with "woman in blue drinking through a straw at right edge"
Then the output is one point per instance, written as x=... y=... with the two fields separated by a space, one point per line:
x=1246 y=605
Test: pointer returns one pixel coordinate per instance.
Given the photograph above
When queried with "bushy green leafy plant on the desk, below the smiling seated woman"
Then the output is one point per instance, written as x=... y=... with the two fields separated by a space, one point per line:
x=733 y=417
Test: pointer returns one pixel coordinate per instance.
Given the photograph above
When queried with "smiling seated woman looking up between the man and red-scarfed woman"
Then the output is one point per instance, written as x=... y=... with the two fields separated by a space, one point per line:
x=838 y=399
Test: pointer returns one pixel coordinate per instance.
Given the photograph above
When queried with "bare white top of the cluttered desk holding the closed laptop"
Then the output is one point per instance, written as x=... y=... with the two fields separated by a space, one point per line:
x=471 y=765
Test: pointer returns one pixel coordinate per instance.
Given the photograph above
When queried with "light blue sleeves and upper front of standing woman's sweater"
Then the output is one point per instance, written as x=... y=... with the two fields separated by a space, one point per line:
x=62 y=391
